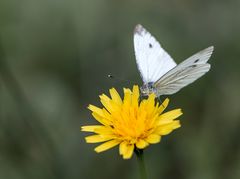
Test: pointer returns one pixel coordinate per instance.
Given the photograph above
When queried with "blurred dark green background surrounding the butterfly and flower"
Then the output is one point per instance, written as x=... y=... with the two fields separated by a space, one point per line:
x=54 y=59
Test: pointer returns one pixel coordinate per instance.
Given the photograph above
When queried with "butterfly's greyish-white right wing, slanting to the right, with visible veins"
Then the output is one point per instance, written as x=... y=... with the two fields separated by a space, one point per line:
x=185 y=73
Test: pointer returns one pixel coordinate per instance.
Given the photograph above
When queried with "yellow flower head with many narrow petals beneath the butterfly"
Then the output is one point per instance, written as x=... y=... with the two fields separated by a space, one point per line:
x=130 y=123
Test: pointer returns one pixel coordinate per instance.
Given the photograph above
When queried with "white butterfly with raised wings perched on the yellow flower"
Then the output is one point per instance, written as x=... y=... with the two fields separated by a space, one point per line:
x=160 y=73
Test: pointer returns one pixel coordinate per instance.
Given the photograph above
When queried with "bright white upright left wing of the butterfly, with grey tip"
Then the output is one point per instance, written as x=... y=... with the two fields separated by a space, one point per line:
x=152 y=60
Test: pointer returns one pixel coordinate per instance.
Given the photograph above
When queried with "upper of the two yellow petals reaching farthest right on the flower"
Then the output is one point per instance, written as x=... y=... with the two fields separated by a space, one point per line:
x=169 y=116
